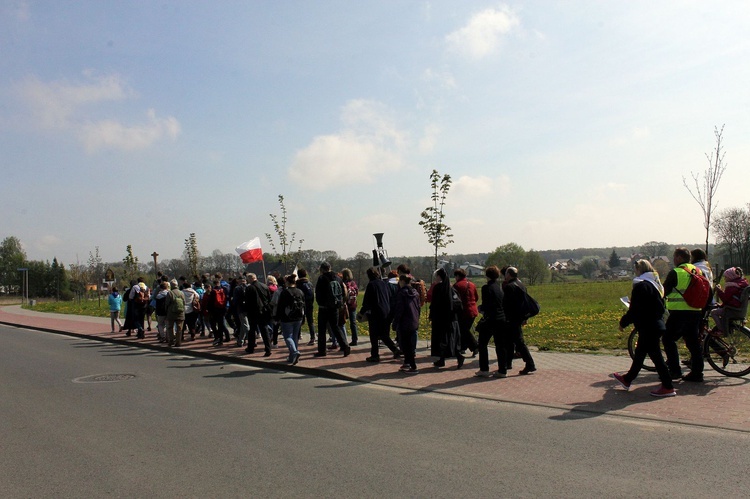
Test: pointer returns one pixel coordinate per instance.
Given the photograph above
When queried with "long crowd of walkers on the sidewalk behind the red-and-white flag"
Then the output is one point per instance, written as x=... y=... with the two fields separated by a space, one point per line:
x=209 y=306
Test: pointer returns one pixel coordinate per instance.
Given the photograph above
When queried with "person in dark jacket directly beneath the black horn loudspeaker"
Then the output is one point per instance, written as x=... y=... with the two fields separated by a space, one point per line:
x=376 y=306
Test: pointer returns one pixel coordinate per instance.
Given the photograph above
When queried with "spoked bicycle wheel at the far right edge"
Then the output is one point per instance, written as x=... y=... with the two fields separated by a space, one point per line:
x=729 y=354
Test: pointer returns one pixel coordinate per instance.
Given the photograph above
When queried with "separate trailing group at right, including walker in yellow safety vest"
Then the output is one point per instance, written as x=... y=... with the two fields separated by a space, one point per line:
x=651 y=301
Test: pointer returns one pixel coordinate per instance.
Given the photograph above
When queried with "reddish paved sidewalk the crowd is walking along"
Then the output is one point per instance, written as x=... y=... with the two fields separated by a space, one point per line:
x=577 y=383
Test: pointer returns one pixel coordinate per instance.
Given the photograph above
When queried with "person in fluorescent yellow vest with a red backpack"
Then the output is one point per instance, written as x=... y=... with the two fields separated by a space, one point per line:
x=684 y=317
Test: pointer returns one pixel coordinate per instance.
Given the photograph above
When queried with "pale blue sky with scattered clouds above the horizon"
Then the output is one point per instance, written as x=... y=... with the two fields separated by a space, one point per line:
x=562 y=124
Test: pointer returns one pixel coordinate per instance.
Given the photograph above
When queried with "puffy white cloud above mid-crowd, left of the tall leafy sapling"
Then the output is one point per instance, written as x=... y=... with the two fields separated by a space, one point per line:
x=369 y=143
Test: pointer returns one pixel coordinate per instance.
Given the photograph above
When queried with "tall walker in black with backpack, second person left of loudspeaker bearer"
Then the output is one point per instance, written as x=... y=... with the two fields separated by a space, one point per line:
x=329 y=293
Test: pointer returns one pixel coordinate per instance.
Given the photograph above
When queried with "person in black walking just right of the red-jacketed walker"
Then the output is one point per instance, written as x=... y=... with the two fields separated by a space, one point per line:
x=494 y=326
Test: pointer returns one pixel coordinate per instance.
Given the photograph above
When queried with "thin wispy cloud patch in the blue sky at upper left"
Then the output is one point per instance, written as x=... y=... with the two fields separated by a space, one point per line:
x=65 y=106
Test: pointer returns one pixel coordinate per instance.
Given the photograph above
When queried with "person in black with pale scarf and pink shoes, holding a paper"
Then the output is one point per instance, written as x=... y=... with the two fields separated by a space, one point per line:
x=646 y=312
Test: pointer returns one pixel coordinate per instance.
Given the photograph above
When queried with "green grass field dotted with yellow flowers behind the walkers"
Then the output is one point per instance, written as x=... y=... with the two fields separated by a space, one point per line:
x=574 y=317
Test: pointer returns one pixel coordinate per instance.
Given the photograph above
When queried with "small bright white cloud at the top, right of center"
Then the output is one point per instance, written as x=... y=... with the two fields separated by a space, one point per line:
x=483 y=33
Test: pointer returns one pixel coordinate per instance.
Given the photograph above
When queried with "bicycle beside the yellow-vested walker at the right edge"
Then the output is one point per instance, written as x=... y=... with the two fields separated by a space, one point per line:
x=727 y=352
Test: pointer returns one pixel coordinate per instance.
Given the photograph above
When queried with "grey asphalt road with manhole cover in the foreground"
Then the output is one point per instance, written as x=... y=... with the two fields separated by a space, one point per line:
x=176 y=426
